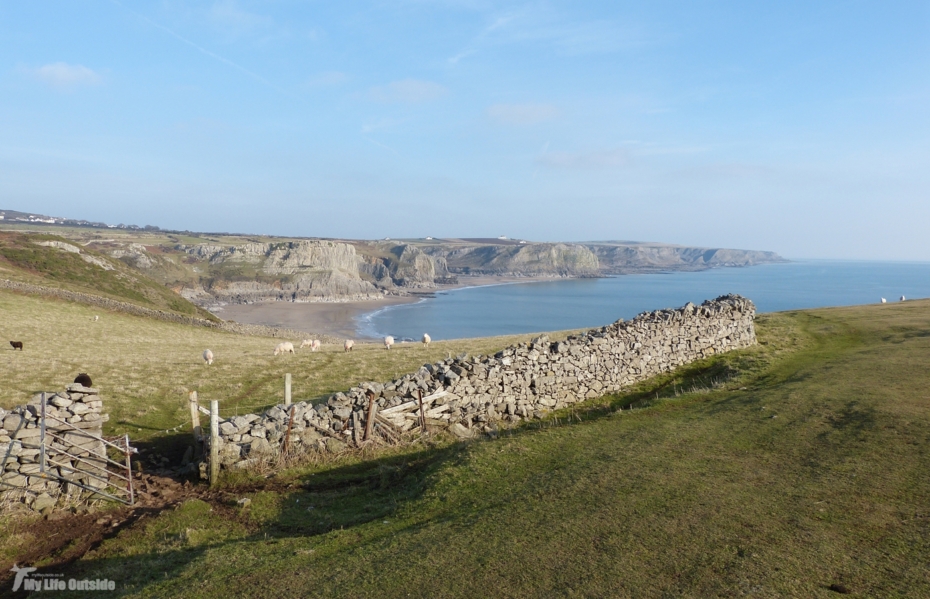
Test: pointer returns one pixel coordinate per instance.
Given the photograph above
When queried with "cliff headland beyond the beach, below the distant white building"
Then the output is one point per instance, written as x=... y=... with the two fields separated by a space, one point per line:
x=532 y=260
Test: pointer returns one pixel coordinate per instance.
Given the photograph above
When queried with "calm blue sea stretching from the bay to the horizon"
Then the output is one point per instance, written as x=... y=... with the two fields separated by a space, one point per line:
x=562 y=304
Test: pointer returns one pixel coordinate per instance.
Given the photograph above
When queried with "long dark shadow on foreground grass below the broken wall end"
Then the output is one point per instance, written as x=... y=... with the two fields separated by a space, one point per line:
x=309 y=505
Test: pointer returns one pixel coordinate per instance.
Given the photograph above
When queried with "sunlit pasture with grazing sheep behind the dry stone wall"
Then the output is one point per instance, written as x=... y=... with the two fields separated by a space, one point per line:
x=145 y=368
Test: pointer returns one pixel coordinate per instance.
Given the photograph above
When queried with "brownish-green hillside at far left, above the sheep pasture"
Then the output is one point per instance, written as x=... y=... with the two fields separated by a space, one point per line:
x=21 y=259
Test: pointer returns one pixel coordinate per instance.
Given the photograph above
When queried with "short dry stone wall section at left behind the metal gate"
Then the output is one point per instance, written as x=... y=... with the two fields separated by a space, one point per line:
x=20 y=434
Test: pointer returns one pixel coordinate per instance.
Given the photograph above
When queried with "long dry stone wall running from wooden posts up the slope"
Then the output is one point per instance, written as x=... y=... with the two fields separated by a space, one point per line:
x=474 y=394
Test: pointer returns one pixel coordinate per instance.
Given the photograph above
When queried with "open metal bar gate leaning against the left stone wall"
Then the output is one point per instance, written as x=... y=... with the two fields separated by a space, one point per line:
x=79 y=458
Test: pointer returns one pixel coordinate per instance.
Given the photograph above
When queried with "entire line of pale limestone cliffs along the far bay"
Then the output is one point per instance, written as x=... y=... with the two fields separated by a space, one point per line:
x=324 y=270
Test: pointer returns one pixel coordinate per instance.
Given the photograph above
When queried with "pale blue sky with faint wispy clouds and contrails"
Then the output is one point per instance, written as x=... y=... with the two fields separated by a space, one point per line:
x=798 y=127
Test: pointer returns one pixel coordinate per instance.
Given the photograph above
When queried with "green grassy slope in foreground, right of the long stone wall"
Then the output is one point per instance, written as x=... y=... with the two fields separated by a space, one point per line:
x=806 y=470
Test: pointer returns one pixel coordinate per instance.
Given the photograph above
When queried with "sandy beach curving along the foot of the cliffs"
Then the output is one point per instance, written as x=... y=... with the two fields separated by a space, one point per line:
x=339 y=318
